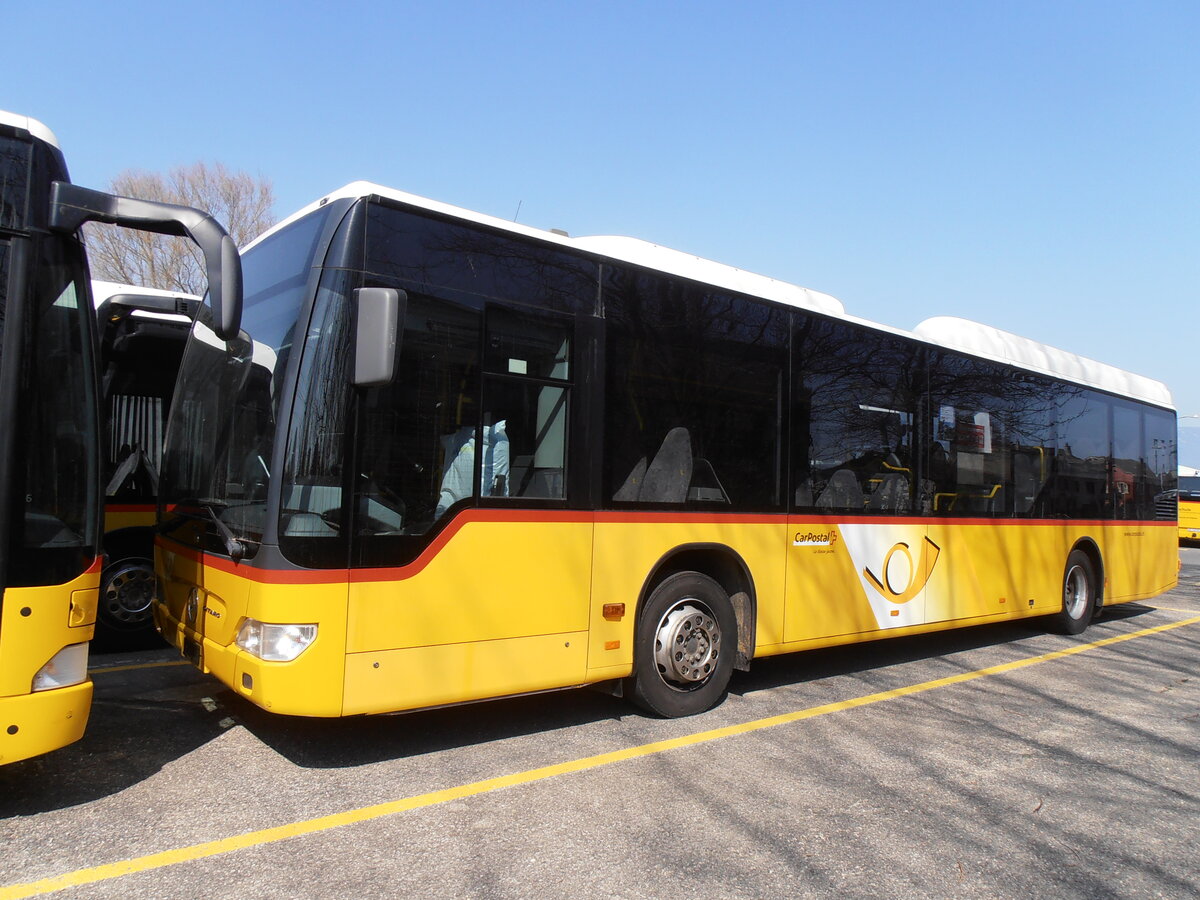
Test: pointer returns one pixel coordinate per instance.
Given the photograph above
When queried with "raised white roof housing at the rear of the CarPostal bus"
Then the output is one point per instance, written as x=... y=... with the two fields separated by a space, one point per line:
x=976 y=339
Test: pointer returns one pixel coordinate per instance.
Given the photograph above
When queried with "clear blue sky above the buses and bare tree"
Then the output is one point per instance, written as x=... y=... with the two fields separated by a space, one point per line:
x=1035 y=166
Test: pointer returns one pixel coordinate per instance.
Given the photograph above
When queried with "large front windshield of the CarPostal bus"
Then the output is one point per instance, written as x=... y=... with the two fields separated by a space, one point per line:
x=221 y=433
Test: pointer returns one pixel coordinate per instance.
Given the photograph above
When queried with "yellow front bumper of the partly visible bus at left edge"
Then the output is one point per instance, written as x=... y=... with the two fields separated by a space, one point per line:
x=35 y=724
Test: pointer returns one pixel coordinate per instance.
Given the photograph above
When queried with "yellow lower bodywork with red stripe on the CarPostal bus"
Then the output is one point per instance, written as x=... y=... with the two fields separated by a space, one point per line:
x=509 y=604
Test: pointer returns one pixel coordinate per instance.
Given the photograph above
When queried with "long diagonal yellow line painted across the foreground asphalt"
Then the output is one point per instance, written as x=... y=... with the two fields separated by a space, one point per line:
x=365 y=814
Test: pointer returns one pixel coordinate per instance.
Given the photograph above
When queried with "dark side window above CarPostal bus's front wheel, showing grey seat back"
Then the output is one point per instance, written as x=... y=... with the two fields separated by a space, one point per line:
x=694 y=397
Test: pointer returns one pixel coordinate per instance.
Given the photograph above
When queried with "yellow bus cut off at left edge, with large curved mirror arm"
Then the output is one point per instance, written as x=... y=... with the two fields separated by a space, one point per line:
x=50 y=470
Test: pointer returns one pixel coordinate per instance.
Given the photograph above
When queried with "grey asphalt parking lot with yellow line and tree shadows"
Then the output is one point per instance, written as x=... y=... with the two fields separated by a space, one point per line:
x=988 y=763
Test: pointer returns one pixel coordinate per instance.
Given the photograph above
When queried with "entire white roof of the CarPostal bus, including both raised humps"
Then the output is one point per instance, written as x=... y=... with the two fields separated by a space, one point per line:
x=952 y=333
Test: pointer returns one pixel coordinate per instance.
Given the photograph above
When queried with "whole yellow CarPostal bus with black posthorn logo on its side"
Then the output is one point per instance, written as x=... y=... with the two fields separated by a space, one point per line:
x=453 y=458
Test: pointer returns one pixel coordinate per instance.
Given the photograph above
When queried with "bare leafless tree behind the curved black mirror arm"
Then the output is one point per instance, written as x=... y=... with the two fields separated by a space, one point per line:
x=238 y=201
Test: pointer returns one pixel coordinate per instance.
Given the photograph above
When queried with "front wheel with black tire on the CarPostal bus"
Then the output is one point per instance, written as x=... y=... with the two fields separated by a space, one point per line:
x=692 y=614
